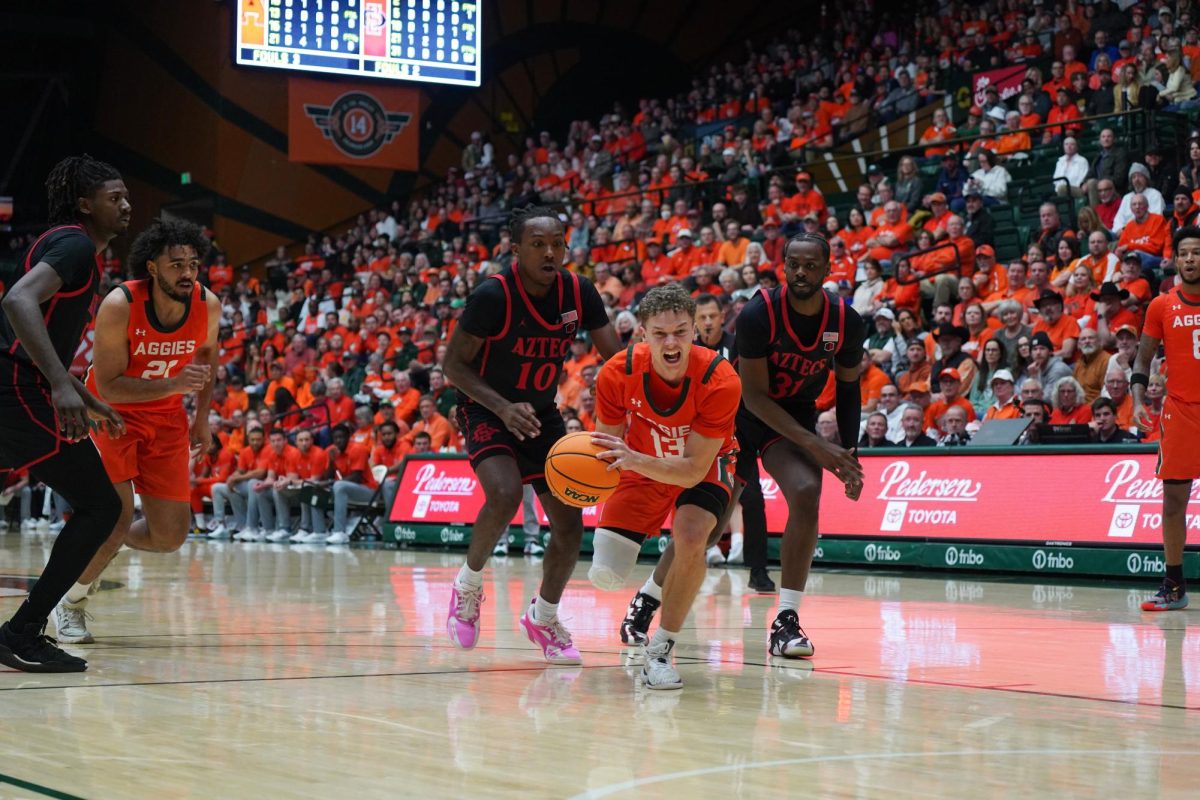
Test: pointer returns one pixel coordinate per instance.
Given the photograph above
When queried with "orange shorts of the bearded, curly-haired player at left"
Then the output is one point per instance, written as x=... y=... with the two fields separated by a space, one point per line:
x=153 y=454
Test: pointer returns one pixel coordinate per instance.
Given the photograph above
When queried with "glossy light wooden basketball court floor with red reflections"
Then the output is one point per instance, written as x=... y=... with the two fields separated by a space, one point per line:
x=263 y=671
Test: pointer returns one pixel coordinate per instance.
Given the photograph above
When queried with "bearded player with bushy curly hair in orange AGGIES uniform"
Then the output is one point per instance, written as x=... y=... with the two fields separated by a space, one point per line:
x=157 y=340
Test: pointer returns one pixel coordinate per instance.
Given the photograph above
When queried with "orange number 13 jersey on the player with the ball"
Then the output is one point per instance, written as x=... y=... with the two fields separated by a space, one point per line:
x=661 y=417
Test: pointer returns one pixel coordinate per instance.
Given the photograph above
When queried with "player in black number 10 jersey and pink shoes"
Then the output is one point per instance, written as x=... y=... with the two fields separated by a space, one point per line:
x=506 y=357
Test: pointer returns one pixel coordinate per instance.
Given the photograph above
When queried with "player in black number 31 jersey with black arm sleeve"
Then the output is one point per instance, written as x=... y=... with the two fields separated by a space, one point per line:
x=789 y=340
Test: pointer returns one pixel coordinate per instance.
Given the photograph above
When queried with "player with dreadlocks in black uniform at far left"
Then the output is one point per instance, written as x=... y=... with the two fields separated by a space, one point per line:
x=44 y=410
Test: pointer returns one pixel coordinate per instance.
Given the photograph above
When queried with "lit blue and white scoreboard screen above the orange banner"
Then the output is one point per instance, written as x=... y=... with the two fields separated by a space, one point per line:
x=431 y=41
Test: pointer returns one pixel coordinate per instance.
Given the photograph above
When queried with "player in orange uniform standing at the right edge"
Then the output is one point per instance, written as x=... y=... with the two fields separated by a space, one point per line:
x=1174 y=321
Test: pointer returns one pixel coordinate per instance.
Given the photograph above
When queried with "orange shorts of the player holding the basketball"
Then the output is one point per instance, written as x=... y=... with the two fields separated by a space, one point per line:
x=641 y=506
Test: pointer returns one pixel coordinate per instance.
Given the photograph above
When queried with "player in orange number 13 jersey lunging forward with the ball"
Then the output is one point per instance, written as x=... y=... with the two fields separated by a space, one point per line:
x=665 y=412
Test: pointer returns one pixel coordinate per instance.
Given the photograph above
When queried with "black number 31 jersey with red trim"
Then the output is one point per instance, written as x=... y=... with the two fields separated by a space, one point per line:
x=800 y=350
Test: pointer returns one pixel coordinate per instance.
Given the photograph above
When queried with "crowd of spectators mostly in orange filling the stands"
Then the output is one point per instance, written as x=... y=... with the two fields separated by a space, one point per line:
x=344 y=335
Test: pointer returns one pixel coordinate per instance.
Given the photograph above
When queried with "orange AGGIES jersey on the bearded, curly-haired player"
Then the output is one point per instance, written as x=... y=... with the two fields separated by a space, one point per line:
x=158 y=352
